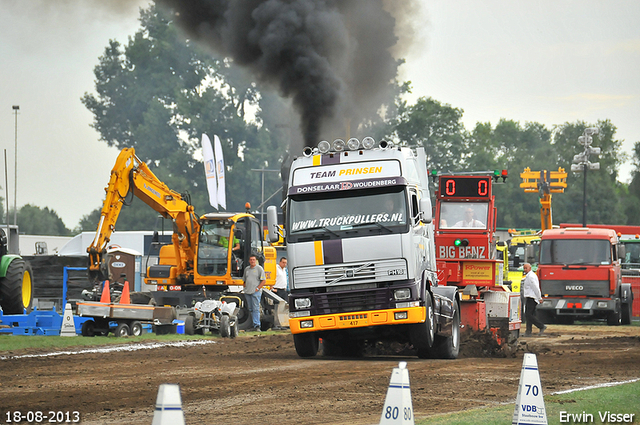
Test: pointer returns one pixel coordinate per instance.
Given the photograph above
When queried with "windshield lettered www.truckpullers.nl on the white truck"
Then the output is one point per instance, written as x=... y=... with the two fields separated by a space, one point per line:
x=383 y=209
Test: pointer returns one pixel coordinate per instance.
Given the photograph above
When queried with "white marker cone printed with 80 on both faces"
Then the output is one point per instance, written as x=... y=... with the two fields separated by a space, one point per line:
x=397 y=406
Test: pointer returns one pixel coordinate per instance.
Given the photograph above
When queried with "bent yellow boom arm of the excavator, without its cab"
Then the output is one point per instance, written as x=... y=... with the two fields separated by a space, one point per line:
x=130 y=175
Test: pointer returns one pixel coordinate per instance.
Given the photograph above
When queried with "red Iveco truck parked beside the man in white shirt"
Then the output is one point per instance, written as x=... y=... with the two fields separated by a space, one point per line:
x=580 y=276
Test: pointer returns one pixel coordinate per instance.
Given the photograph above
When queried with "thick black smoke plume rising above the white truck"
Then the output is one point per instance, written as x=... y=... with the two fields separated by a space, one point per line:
x=331 y=57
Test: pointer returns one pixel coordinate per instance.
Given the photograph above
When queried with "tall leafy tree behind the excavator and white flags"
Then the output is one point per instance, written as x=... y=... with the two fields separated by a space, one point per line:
x=159 y=94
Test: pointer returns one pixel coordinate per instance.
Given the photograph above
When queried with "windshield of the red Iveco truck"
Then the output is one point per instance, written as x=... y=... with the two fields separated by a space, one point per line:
x=575 y=251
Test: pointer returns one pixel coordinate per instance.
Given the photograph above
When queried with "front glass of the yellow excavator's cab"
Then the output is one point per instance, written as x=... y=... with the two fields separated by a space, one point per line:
x=213 y=248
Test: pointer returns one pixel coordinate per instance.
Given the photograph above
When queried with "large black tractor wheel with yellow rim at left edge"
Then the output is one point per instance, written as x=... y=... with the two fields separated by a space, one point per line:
x=16 y=288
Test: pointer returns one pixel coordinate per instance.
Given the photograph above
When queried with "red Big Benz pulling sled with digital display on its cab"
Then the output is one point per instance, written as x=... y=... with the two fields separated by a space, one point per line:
x=467 y=254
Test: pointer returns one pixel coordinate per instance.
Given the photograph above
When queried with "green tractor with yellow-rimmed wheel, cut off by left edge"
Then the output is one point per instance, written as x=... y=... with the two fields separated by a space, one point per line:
x=16 y=288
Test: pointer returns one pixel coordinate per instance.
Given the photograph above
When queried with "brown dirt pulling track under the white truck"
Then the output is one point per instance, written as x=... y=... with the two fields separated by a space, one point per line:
x=260 y=379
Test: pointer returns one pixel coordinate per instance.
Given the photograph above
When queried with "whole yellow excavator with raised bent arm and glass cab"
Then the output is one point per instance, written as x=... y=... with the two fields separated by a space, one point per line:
x=207 y=254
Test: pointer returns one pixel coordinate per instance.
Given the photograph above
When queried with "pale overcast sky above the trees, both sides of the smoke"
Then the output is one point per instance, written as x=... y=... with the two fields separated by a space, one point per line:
x=544 y=61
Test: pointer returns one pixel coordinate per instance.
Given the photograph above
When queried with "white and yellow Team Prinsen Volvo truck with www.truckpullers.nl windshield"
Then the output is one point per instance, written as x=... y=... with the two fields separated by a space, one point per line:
x=361 y=253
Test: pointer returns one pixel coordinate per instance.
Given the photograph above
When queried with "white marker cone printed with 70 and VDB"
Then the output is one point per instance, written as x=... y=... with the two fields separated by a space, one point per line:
x=530 y=402
